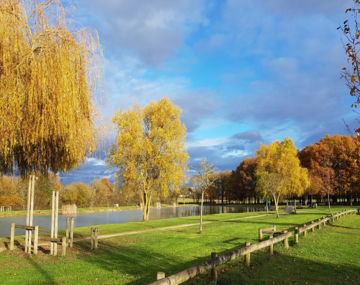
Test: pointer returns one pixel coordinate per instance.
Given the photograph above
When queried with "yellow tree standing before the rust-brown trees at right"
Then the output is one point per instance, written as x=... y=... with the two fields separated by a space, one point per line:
x=279 y=173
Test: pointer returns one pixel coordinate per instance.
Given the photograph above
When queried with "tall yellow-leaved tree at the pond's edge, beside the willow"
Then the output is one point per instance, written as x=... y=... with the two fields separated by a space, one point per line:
x=149 y=150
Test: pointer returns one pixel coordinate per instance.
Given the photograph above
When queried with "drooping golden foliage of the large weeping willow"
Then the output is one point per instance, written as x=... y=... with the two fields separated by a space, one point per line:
x=48 y=78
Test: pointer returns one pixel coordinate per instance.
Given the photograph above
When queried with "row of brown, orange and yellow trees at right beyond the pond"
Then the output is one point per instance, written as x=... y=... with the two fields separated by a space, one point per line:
x=329 y=169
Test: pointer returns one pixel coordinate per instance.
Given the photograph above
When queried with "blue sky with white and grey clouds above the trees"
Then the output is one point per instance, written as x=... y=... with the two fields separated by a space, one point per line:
x=243 y=72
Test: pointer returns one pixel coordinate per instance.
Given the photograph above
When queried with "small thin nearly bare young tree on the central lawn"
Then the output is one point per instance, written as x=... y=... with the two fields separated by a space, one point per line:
x=205 y=178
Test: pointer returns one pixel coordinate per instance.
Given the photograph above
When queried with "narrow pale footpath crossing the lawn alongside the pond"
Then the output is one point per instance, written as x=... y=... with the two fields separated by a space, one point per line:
x=149 y=230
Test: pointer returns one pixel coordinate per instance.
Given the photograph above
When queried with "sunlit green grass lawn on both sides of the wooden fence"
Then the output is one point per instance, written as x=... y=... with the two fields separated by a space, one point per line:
x=135 y=259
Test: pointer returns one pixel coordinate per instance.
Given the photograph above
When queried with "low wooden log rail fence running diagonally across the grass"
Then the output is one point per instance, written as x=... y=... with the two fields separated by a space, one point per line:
x=215 y=260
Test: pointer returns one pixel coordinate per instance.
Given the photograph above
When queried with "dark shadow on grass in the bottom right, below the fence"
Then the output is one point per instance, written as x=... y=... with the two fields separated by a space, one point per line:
x=282 y=269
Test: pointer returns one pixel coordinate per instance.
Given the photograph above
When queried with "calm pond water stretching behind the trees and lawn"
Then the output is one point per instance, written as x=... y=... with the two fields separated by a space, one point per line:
x=82 y=220
